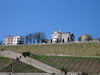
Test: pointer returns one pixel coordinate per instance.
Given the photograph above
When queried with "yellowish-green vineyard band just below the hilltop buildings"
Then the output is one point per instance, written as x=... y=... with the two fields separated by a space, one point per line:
x=77 y=49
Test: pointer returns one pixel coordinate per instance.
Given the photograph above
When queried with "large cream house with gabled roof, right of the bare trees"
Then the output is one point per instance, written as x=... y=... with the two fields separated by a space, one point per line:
x=58 y=37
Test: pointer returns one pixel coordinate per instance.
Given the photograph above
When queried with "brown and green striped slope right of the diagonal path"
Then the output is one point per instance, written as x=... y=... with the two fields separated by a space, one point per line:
x=75 y=64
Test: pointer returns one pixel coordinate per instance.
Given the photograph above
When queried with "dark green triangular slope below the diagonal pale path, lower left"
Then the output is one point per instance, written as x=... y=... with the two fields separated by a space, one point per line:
x=17 y=66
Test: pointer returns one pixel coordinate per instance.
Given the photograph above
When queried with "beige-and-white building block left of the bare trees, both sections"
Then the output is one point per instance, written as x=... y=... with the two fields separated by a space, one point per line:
x=10 y=40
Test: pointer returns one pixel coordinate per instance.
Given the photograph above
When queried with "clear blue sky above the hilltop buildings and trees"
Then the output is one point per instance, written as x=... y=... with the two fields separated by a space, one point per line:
x=21 y=17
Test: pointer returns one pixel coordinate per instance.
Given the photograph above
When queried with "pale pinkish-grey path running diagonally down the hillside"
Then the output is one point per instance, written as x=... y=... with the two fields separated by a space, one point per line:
x=30 y=61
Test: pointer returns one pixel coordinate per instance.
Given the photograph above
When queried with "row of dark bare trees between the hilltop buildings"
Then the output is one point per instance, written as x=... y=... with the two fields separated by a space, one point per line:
x=33 y=38
